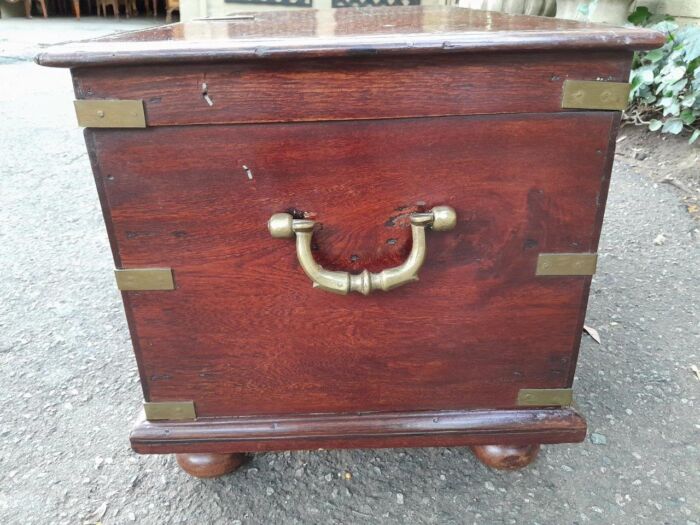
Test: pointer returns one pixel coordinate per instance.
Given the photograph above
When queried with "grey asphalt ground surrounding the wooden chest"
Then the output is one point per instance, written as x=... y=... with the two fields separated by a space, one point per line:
x=70 y=390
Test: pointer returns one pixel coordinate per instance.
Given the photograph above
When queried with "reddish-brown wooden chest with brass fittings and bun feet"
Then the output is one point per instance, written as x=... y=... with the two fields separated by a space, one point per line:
x=240 y=160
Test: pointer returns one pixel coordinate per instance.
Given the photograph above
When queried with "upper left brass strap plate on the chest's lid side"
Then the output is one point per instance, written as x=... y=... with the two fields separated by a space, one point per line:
x=110 y=113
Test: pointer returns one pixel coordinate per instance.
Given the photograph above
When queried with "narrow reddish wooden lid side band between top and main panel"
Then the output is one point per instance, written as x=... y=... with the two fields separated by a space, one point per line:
x=345 y=89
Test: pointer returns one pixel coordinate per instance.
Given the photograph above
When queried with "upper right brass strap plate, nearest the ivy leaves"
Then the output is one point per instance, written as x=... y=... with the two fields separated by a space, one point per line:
x=593 y=94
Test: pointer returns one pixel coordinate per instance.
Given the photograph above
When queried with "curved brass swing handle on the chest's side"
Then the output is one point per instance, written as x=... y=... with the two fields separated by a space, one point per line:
x=284 y=226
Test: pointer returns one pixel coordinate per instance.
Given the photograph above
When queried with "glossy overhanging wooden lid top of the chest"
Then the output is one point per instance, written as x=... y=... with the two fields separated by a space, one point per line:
x=343 y=32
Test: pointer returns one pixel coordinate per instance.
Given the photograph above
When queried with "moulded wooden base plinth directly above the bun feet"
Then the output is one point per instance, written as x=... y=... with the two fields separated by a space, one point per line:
x=309 y=432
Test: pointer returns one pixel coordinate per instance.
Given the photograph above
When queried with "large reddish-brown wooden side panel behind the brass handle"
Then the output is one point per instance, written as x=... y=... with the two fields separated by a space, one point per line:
x=244 y=333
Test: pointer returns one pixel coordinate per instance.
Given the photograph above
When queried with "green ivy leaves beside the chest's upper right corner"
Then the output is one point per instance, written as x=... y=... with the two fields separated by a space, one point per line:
x=665 y=82
